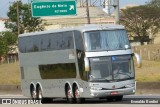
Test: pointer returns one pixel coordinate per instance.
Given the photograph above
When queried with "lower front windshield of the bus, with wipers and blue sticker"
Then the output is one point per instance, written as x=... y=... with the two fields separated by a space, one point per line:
x=116 y=68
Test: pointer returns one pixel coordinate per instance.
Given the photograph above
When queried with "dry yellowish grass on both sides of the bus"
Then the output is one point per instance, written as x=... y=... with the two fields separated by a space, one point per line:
x=149 y=72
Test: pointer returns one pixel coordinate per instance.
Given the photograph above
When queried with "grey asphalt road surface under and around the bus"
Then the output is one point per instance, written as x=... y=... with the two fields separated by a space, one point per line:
x=128 y=101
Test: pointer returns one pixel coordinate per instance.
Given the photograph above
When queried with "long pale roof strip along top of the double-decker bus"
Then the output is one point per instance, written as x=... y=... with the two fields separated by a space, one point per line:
x=88 y=27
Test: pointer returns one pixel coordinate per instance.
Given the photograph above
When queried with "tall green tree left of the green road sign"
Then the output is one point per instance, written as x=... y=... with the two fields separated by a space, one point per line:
x=26 y=22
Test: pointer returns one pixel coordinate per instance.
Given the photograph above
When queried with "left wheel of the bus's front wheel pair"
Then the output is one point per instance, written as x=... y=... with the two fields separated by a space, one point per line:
x=69 y=97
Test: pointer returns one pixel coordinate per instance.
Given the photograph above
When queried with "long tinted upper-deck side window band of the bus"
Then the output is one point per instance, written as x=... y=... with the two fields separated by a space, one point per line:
x=55 y=41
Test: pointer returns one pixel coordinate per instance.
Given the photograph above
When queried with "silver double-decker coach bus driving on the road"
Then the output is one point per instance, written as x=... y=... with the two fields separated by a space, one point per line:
x=92 y=61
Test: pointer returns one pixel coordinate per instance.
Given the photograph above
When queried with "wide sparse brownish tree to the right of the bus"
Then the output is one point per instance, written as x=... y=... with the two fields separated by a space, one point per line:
x=141 y=21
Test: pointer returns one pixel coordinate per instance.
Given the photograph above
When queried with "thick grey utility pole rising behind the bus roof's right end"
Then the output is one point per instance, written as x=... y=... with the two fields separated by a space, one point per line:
x=116 y=11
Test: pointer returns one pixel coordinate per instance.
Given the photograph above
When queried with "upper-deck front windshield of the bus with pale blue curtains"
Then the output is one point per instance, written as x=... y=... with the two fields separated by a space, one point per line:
x=106 y=40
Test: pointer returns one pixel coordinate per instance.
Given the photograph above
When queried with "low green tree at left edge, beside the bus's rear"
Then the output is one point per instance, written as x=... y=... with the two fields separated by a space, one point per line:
x=7 y=41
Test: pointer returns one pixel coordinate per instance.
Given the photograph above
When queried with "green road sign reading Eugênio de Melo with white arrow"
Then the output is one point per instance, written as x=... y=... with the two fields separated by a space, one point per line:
x=53 y=8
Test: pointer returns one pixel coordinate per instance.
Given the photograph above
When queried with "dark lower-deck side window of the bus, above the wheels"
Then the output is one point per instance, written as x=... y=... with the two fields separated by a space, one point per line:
x=58 y=71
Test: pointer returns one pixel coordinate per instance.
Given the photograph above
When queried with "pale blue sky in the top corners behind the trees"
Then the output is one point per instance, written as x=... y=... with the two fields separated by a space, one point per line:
x=4 y=4
